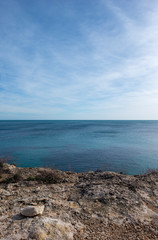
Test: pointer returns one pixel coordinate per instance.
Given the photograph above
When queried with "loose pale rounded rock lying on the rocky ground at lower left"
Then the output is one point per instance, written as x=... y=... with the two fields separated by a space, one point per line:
x=32 y=211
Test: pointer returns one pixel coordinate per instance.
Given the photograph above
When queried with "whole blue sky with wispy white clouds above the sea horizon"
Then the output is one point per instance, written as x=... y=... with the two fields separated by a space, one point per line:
x=77 y=59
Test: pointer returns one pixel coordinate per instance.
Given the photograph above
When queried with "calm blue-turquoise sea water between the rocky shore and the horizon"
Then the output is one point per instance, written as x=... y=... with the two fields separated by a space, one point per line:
x=128 y=146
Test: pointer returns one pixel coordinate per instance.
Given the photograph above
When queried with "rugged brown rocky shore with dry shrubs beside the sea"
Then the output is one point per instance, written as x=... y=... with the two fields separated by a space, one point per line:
x=46 y=204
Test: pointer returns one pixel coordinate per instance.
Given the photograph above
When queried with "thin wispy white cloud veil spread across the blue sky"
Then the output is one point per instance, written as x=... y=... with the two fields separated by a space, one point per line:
x=110 y=73
